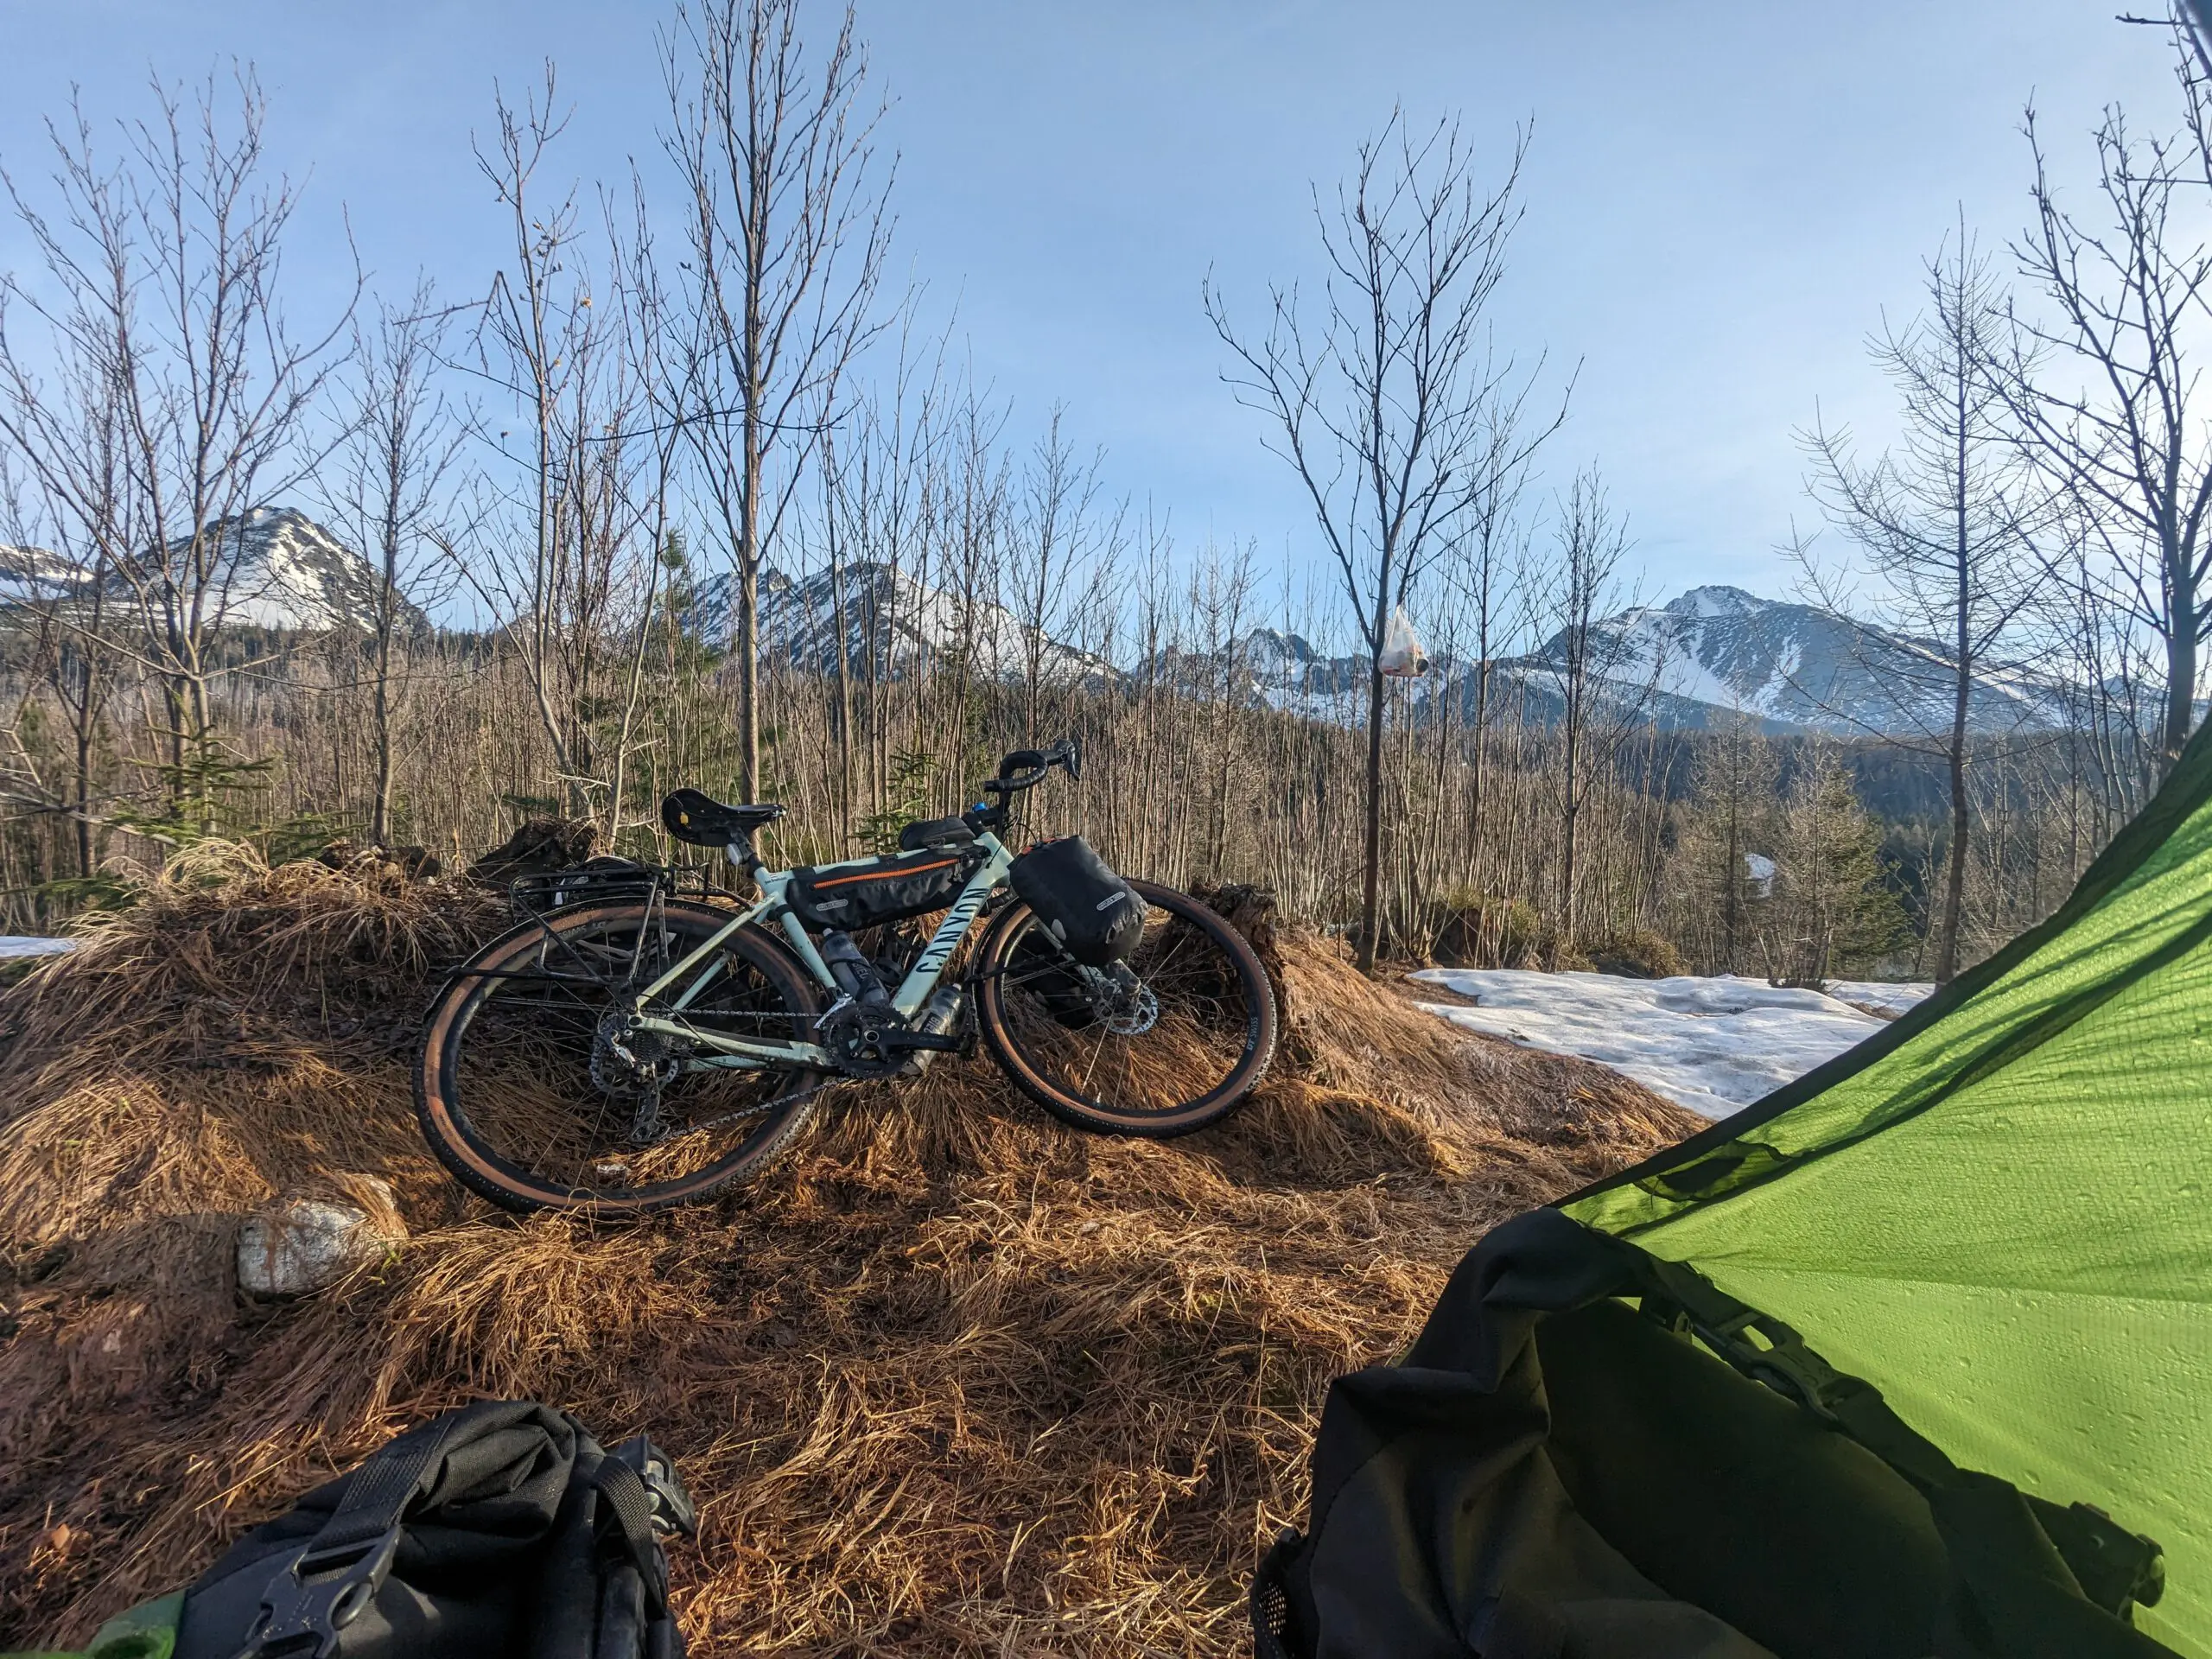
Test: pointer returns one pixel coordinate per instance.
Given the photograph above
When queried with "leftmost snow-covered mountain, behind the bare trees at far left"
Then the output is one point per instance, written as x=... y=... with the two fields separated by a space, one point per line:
x=275 y=570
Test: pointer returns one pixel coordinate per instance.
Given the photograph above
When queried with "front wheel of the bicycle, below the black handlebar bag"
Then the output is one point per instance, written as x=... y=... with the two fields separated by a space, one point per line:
x=1169 y=1047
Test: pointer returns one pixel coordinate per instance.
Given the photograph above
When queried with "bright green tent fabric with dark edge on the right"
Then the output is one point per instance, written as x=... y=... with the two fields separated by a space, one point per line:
x=1999 y=1211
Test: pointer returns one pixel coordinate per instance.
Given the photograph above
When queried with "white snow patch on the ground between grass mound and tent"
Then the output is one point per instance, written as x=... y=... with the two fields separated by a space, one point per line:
x=1713 y=1045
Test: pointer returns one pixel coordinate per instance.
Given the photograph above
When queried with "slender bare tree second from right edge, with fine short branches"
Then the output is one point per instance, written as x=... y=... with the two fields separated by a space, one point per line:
x=1948 y=519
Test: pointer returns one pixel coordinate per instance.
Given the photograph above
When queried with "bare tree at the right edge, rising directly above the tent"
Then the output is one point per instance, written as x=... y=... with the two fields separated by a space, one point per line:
x=2118 y=426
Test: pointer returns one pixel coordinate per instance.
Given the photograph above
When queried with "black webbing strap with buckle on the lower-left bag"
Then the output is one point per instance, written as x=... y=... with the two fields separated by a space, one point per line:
x=324 y=1585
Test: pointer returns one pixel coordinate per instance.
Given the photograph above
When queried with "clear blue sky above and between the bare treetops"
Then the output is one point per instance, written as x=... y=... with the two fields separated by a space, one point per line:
x=1722 y=196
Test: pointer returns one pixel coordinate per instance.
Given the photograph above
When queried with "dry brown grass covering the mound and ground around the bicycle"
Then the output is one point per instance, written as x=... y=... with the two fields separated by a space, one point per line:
x=950 y=1381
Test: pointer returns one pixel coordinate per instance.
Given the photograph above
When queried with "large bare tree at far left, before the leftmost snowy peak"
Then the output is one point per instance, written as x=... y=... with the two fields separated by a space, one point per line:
x=163 y=284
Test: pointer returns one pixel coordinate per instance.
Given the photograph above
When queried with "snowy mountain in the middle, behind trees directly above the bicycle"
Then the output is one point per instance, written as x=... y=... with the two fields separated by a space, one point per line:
x=893 y=627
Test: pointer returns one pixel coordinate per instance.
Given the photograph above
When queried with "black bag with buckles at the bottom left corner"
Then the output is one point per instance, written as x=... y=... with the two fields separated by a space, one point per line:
x=494 y=1532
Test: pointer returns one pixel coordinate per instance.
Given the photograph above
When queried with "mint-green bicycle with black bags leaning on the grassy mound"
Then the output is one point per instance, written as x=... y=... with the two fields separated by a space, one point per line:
x=632 y=1047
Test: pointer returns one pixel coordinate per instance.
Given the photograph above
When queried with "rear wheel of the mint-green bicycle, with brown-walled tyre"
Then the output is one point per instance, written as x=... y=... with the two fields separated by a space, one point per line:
x=534 y=1096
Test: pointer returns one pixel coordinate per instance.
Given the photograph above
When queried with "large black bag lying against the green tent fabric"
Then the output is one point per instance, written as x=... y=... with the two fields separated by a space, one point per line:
x=1561 y=1474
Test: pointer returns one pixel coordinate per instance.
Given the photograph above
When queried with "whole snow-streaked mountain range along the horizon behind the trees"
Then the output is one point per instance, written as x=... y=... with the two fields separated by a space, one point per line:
x=1713 y=656
